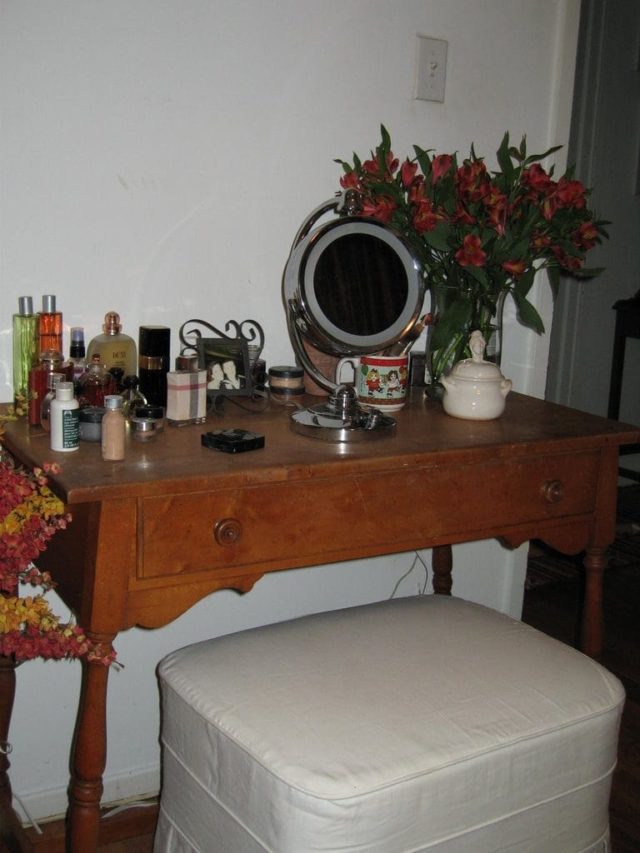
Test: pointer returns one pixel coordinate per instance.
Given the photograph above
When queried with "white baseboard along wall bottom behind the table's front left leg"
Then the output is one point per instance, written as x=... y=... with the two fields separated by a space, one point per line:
x=51 y=804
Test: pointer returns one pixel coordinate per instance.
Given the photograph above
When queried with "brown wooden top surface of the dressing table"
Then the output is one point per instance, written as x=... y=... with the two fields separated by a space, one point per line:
x=176 y=461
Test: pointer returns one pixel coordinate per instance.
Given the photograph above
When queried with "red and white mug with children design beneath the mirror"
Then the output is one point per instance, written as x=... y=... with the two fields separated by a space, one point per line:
x=380 y=380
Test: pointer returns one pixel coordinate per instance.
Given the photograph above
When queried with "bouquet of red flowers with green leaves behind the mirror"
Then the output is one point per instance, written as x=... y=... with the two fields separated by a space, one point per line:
x=478 y=234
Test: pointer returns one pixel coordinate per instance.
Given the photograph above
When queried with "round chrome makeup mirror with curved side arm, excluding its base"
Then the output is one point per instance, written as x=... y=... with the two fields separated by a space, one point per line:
x=351 y=287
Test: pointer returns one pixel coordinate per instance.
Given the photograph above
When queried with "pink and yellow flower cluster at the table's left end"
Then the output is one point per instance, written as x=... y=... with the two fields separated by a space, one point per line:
x=30 y=514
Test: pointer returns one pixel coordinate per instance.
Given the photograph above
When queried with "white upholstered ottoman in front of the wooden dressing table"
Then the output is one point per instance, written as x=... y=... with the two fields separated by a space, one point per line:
x=426 y=723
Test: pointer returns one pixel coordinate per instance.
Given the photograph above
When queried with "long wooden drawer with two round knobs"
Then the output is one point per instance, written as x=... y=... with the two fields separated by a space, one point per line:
x=306 y=522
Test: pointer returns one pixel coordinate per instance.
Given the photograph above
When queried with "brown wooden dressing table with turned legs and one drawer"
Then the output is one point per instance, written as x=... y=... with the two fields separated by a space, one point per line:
x=190 y=521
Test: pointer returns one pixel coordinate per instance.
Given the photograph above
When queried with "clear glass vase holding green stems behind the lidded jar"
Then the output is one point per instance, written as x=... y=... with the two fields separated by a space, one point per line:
x=457 y=310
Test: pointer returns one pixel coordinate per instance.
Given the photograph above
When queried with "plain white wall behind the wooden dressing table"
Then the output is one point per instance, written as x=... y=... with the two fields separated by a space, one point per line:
x=157 y=157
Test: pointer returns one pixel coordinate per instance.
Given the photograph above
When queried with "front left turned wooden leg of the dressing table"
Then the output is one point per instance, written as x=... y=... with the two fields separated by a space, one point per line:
x=89 y=756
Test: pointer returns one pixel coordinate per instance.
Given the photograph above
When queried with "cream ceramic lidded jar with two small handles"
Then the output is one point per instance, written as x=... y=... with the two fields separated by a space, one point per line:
x=475 y=389
